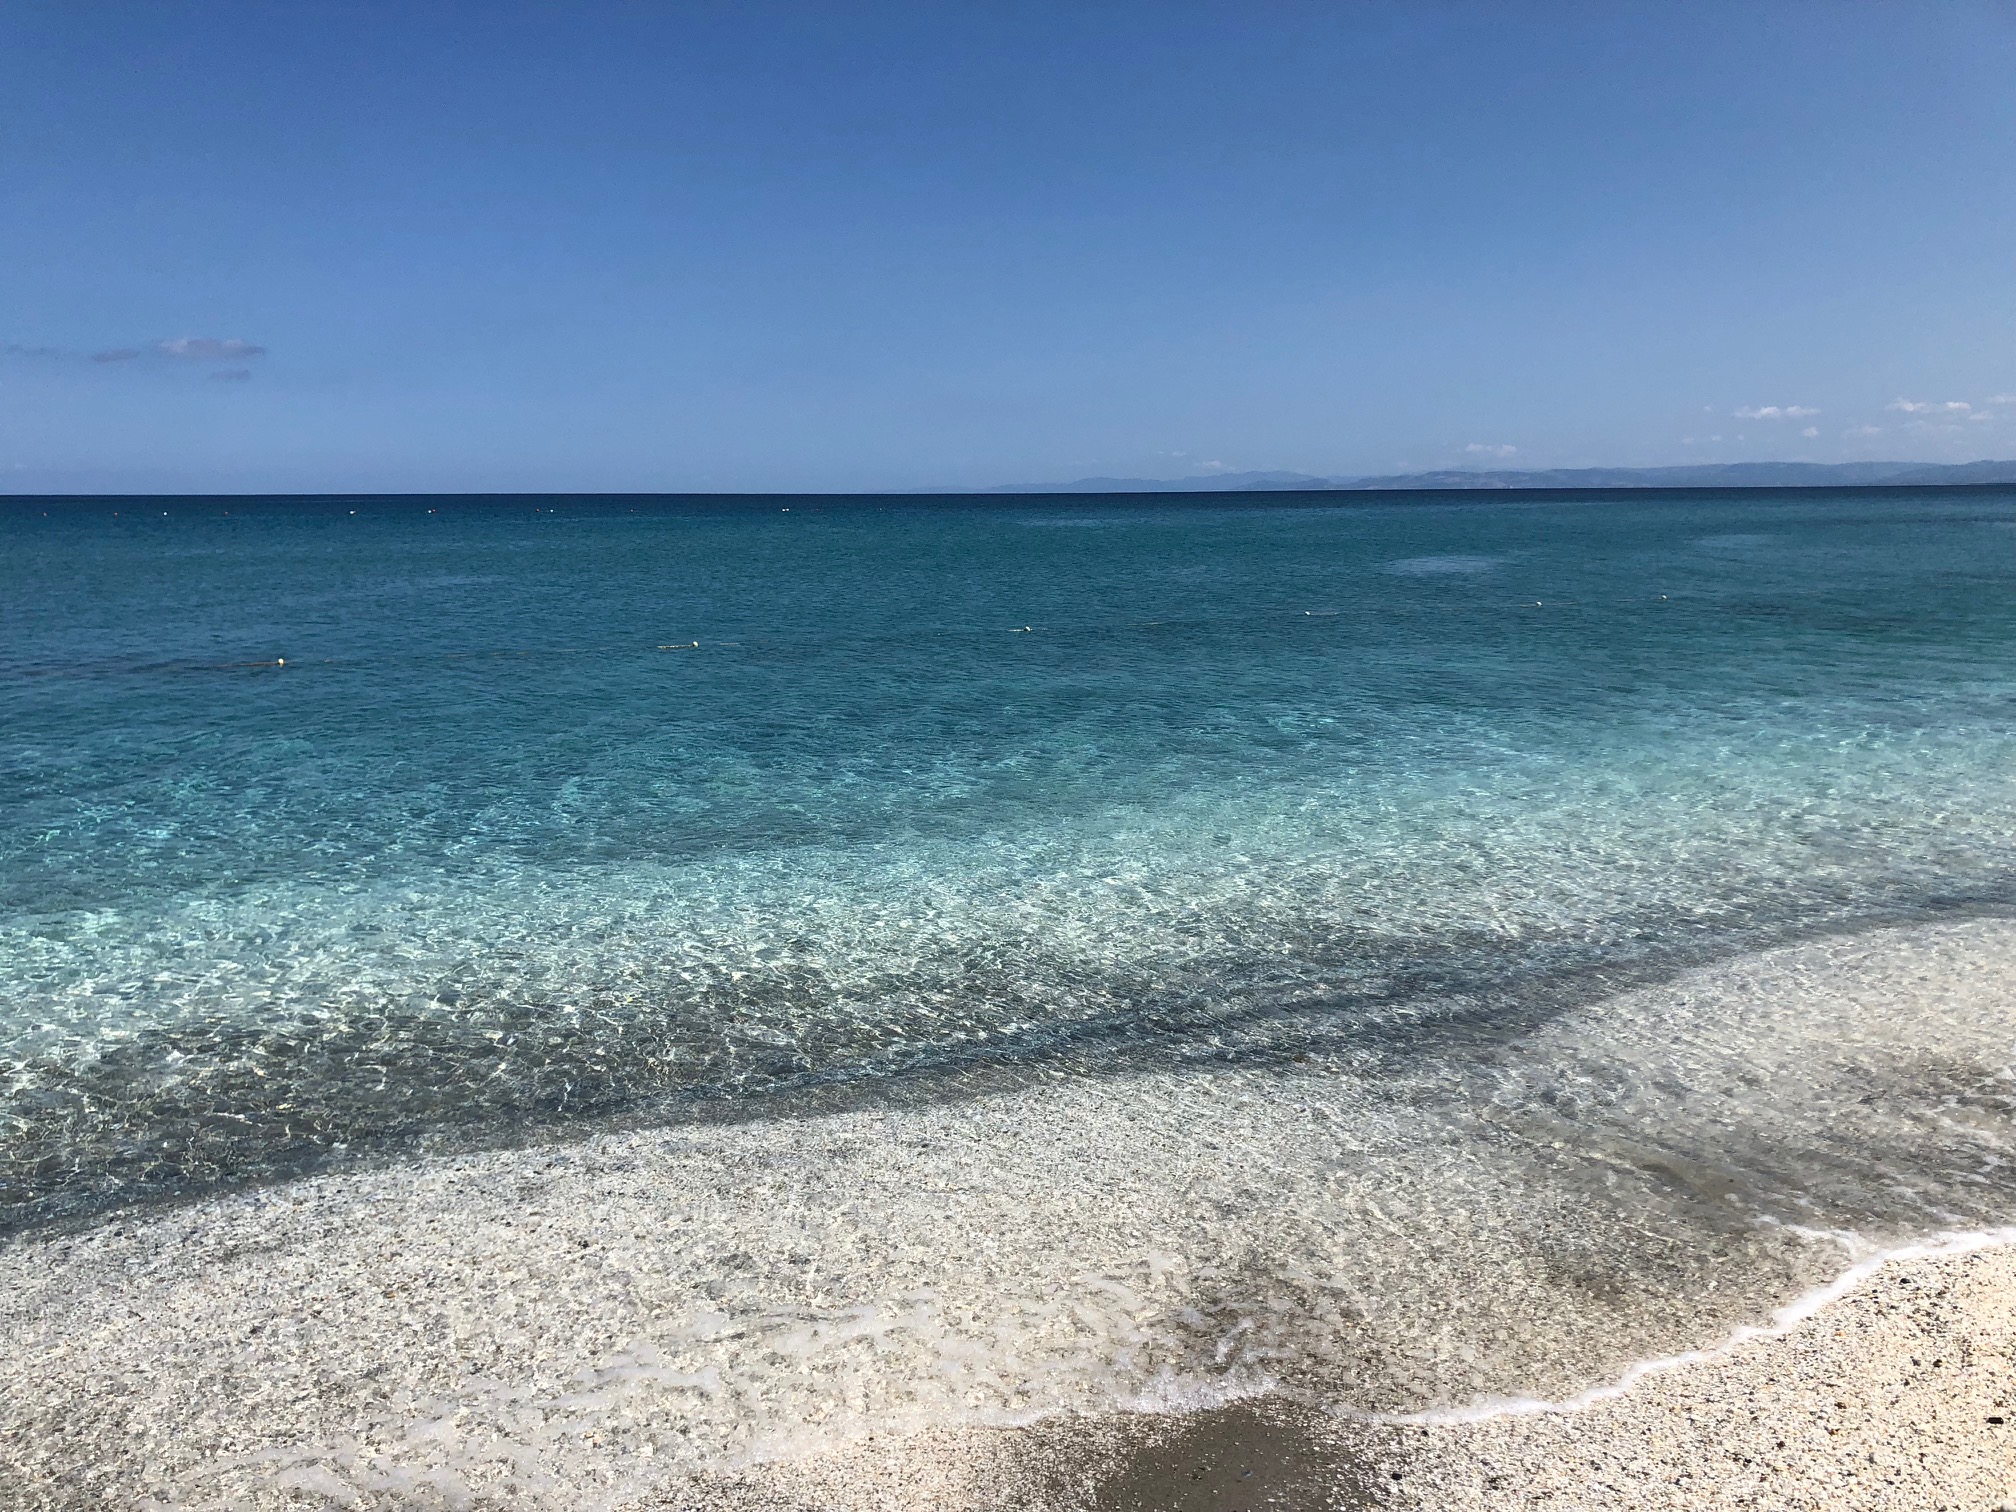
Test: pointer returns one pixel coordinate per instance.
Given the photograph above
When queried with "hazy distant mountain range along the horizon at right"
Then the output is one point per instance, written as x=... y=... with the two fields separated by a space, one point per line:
x=1725 y=475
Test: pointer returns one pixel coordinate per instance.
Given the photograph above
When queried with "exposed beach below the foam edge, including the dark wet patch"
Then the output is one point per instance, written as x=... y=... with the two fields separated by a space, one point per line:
x=1898 y=1396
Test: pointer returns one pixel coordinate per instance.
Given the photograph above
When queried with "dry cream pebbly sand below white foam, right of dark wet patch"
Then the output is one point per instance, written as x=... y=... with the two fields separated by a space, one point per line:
x=1900 y=1396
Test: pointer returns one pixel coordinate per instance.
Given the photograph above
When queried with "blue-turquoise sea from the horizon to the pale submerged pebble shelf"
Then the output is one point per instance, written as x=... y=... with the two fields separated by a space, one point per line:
x=334 y=828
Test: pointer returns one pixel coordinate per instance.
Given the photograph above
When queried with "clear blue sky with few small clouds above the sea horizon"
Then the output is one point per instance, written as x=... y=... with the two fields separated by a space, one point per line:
x=801 y=247
